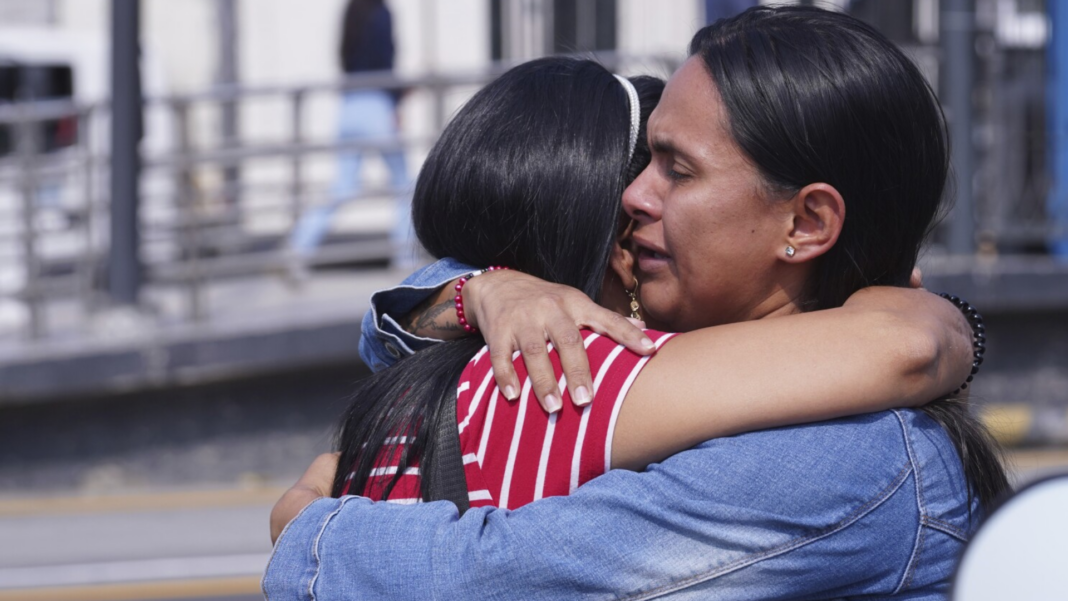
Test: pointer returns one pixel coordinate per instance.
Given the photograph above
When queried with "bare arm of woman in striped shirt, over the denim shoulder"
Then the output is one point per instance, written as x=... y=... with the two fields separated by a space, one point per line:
x=886 y=349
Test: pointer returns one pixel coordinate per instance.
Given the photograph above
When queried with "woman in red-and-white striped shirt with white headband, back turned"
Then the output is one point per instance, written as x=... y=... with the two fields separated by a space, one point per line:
x=529 y=175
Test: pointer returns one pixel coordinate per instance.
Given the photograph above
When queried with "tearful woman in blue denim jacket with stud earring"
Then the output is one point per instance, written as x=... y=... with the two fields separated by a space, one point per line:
x=734 y=539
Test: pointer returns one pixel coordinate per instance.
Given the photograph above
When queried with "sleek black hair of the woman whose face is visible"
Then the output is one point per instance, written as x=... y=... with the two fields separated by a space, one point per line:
x=815 y=96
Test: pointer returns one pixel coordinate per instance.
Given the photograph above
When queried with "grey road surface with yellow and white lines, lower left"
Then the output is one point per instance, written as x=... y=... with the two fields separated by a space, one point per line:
x=159 y=546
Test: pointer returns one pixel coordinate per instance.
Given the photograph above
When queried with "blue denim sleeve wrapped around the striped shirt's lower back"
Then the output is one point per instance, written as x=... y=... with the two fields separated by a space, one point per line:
x=824 y=511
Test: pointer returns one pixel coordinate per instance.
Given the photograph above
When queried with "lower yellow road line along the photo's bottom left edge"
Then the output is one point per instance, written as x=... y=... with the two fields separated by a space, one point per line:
x=131 y=592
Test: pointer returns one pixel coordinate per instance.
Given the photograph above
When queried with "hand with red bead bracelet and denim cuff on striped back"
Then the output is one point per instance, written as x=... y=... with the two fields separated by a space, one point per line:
x=421 y=311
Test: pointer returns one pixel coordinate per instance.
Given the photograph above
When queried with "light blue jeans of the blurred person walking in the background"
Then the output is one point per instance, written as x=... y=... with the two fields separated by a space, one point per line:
x=366 y=115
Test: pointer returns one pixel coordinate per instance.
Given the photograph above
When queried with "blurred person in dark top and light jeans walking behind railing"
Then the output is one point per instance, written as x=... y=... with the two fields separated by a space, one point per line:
x=367 y=45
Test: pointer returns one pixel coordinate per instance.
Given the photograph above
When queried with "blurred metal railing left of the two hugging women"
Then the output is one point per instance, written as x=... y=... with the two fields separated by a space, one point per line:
x=196 y=227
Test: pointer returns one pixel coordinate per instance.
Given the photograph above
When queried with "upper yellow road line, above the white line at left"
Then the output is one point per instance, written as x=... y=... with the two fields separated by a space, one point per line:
x=148 y=502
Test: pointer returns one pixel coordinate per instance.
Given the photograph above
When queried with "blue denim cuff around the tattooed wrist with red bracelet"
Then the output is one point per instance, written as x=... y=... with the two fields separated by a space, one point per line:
x=383 y=341
